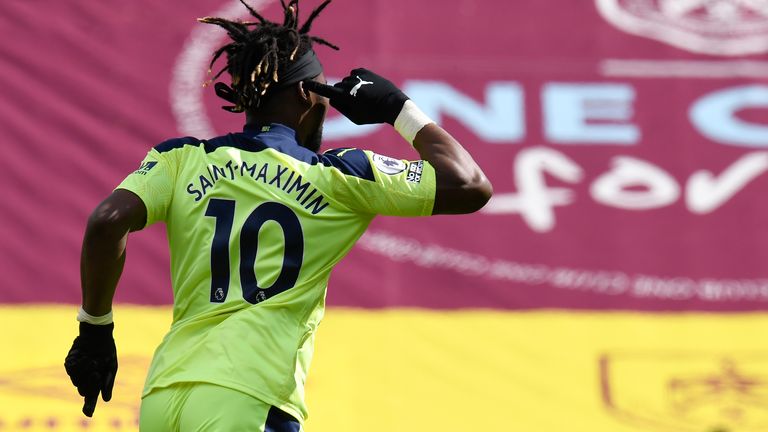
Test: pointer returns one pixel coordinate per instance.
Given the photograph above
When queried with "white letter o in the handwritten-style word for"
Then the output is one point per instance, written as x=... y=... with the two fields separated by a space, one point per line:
x=658 y=188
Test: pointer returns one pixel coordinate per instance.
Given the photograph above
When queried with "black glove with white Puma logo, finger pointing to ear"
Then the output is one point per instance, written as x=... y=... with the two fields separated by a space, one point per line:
x=363 y=97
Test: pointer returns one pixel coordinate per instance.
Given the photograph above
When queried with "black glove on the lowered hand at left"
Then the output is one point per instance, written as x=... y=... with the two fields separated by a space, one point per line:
x=92 y=364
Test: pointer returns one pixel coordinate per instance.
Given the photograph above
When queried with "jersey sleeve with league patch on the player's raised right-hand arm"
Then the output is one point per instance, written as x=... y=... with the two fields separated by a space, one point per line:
x=368 y=182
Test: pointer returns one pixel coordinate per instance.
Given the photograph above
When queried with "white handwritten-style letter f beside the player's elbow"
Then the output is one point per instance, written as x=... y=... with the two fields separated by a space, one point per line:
x=534 y=201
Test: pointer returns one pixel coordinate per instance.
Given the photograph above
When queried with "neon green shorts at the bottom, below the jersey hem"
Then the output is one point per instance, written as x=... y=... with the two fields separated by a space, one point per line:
x=193 y=407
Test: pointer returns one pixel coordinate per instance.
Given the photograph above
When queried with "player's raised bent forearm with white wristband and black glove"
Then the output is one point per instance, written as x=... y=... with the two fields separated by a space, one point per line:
x=367 y=98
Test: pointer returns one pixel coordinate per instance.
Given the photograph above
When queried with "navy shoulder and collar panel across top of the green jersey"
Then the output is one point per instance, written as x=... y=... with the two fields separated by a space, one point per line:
x=352 y=162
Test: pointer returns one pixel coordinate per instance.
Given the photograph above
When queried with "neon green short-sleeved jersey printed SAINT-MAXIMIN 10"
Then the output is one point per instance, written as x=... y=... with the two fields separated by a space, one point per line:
x=255 y=225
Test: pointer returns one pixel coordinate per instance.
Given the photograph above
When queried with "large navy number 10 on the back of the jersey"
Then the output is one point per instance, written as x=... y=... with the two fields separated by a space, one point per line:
x=223 y=210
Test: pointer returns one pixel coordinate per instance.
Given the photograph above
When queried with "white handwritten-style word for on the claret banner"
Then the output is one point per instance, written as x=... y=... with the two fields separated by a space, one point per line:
x=535 y=202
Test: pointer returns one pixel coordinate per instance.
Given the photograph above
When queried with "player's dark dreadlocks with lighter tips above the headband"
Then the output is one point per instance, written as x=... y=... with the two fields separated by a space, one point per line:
x=261 y=52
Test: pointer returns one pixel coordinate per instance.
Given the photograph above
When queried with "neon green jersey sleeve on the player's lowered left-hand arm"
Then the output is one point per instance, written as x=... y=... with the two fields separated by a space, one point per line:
x=153 y=182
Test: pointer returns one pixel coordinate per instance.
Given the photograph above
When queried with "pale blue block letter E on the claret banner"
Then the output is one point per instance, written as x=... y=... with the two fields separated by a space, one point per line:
x=572 y=113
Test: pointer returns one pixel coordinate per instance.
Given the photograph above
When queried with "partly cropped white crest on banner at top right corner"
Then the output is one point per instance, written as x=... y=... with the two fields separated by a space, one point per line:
x=717 y=27
